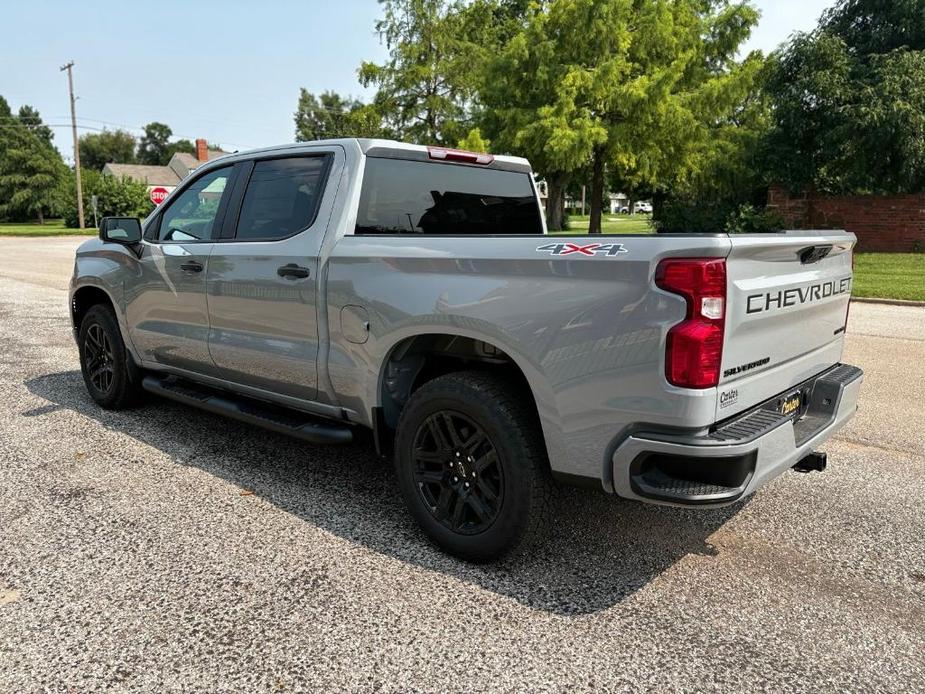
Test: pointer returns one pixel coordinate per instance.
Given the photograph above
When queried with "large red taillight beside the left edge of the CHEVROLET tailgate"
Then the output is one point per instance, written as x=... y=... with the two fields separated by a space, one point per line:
x=694 y=350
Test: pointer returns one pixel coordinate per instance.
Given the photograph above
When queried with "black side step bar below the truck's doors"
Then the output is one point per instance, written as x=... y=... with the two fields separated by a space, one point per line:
x=281 y=420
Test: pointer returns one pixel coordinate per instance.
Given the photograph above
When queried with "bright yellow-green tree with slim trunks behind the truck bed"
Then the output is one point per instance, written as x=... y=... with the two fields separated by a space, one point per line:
x=628 y=85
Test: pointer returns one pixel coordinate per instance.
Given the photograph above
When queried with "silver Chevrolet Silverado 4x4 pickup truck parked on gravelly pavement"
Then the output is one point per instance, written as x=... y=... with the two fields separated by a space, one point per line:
x=316 y=288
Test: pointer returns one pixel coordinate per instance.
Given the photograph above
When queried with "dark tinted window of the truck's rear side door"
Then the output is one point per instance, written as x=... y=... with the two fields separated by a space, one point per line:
x=282 y=198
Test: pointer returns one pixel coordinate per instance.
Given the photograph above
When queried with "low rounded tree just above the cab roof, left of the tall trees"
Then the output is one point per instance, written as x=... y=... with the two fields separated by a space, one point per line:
x=330 y=116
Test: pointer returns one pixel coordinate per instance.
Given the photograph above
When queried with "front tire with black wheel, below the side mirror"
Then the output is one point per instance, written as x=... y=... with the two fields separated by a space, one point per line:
x=111 y=376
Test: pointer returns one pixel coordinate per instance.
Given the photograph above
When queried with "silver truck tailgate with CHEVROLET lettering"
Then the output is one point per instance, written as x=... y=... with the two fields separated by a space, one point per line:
x=787 y=304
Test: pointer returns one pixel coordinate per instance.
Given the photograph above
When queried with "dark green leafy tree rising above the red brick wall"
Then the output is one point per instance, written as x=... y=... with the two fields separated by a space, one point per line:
x=849 y=101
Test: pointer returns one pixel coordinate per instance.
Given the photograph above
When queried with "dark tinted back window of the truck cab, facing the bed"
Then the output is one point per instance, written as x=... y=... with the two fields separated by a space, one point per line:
x=416 y=197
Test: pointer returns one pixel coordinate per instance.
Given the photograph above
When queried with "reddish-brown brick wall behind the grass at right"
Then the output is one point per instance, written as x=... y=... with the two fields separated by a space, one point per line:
x=893 y=223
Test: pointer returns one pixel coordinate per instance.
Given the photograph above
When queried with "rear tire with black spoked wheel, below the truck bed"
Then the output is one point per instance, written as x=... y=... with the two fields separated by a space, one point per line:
x=471 y=464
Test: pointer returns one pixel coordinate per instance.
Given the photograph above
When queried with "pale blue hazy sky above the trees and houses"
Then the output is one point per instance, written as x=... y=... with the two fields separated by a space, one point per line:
x=228 y=71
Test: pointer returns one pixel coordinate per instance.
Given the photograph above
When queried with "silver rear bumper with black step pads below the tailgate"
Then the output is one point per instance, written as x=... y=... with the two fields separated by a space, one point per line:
x=737 y=457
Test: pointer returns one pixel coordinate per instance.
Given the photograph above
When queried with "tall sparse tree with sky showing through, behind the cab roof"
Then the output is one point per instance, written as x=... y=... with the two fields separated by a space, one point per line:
x=426 y=86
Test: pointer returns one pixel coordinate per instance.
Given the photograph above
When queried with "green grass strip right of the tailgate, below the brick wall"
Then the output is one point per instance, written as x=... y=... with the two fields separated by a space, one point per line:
x=890 y=276
